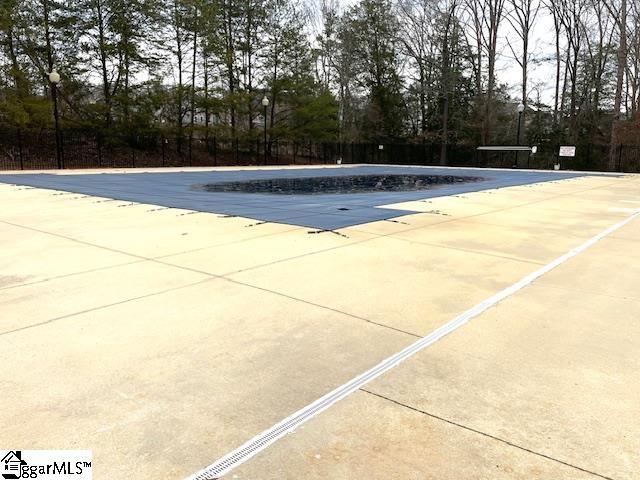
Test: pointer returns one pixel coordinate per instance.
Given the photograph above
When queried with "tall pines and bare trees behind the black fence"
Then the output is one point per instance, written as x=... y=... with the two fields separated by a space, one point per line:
x=378 y=70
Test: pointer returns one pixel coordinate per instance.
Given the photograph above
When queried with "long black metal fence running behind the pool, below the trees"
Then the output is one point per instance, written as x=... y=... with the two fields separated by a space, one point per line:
x=27 y=150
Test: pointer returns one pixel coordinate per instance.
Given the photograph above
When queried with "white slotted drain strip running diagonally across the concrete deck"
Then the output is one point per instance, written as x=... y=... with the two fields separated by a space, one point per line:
x=269 y=436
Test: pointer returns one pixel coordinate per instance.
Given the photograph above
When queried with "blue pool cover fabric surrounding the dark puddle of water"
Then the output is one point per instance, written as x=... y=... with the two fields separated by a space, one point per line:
x=319 y=211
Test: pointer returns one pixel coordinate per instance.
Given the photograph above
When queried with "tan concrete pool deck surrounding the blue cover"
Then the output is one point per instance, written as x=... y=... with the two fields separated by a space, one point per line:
x=162 y=339
